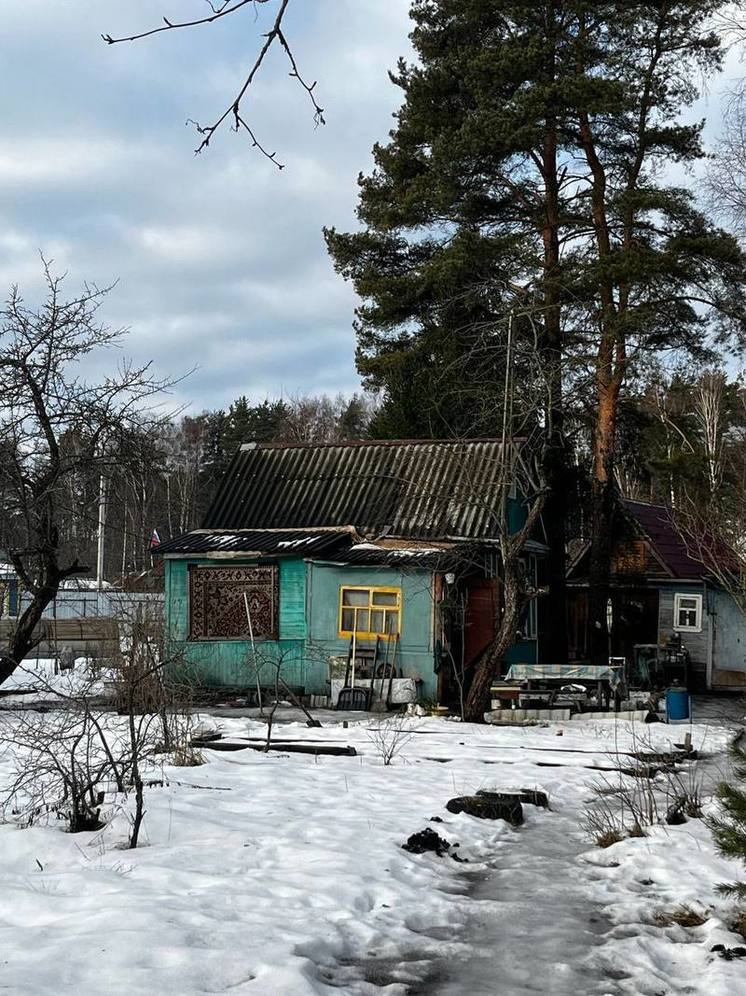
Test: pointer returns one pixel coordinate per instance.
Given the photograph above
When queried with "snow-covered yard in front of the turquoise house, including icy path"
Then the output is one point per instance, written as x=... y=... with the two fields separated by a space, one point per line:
x=283 y=875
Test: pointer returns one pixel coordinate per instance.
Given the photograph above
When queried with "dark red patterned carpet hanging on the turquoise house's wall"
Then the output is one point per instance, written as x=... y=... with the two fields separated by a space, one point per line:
x=218 y=598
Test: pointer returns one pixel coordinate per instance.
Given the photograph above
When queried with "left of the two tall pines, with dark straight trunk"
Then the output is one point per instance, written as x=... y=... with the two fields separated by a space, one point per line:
x=464 y=206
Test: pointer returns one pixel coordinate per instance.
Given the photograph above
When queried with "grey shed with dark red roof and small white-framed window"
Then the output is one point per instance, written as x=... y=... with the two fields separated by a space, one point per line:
x=661 y=595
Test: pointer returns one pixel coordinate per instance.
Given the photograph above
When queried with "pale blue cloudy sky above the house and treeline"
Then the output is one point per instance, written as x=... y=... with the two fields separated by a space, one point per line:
x=219 y=257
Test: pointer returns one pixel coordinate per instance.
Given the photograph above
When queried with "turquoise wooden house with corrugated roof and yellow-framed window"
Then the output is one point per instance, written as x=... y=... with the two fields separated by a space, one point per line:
x=392 y=543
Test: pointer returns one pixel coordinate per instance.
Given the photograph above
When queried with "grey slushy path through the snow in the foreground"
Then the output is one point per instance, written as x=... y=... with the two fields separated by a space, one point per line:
x=534 y=927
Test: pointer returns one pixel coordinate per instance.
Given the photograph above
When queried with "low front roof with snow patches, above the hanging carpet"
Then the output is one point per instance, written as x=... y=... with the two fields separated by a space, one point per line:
x=274 y=542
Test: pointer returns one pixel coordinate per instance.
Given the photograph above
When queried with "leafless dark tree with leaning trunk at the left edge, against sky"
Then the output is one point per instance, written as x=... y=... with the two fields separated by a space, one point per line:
x=45 y=403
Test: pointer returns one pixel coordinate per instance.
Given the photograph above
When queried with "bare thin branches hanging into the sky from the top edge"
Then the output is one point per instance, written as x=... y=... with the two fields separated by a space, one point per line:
x=275 y=37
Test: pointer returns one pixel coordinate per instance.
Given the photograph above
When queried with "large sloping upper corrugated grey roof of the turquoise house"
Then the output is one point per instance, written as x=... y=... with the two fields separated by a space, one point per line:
x=417 y=489
